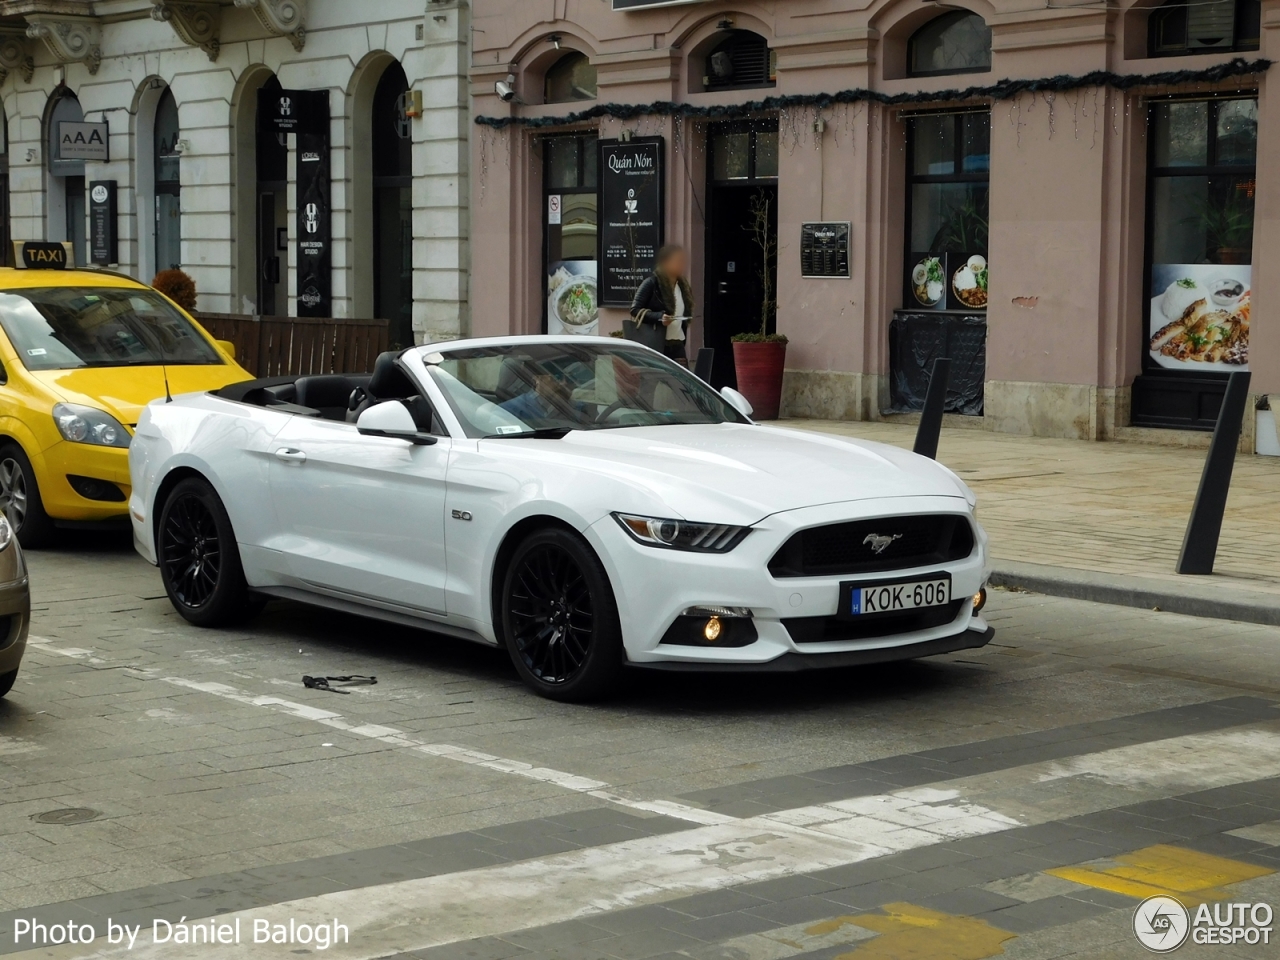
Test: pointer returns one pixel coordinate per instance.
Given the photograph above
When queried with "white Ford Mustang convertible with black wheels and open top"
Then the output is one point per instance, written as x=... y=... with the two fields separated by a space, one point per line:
x=587 y=504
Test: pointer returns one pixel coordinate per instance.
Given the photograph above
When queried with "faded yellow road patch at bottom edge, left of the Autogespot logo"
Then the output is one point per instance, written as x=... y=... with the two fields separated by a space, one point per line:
x=912 y=932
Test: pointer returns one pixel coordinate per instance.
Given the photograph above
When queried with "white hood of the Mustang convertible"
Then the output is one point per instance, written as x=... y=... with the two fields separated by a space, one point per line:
x=702 y=470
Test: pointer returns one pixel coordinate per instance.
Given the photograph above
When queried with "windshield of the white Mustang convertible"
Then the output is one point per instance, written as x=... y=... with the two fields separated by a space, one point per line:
x=543 y=388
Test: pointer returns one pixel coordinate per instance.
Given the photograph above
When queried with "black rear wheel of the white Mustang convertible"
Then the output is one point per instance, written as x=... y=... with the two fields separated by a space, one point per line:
x=200 y=560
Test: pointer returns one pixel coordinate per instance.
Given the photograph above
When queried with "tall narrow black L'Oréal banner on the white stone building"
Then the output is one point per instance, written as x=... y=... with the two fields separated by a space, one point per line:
x=316 y=220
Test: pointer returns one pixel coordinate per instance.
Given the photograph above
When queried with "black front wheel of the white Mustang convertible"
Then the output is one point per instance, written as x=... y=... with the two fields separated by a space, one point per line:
x=560 y=619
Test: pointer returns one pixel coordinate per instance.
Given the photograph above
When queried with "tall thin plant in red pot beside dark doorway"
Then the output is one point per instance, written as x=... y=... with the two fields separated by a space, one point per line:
x=761 y=356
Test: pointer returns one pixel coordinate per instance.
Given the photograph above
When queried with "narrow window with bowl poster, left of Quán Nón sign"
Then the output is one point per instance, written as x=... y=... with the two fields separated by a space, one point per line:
x=570 y=272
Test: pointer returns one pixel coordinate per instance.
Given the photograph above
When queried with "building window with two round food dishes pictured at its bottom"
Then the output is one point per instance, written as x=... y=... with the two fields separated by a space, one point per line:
x=949 y=170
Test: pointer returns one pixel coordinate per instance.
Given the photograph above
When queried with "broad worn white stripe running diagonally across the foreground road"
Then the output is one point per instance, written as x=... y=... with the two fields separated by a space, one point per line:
x=417 y=915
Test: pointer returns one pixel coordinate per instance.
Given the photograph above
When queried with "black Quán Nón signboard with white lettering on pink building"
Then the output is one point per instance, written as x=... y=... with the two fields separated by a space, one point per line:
x=632 y=216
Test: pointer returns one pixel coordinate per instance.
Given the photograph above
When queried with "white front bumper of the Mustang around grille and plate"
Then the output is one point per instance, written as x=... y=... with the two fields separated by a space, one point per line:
x=653 y=587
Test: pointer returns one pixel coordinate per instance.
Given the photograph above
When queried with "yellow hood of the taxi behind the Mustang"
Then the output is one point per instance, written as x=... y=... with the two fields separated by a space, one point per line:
x=125 y=391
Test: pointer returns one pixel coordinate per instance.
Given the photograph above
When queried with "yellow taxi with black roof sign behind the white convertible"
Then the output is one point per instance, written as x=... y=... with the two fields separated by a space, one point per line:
x=81 y=354
